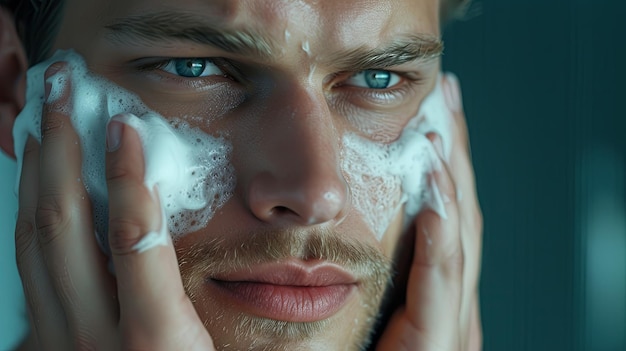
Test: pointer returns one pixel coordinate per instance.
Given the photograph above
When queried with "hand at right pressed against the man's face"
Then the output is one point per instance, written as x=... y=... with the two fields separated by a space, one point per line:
x=441 y=311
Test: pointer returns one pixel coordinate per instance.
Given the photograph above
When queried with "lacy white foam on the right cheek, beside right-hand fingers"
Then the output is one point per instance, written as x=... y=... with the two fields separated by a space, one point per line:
x=384 y=177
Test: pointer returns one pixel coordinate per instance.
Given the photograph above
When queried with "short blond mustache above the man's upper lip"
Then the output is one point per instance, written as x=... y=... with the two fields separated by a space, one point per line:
x=219 y=255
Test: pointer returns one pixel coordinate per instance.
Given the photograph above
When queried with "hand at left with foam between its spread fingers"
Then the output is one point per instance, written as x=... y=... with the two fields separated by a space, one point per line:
x=74 y=302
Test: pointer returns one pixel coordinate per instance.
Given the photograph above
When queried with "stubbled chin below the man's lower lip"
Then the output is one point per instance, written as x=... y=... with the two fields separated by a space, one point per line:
x=233 y=326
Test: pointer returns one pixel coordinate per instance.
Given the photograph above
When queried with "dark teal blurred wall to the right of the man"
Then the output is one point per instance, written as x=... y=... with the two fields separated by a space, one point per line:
x=543 y=84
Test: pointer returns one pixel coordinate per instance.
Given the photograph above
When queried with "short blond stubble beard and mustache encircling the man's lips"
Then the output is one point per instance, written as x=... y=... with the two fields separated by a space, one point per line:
x=217 y=257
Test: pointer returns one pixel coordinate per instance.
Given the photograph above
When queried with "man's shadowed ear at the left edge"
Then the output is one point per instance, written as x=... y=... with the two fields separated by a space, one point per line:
x=13 y=67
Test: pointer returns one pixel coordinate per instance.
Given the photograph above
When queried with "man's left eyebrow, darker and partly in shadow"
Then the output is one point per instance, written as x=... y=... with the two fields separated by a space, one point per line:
x=164 y=26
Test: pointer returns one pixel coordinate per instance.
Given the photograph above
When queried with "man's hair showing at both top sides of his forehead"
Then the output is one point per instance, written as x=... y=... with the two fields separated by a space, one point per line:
x=37 y=22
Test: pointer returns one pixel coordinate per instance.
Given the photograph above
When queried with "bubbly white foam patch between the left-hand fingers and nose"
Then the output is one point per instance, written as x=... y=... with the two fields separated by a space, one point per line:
x=195 y=176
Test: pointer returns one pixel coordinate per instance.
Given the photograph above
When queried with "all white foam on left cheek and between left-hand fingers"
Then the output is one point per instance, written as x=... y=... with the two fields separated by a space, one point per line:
x=189 y=169
